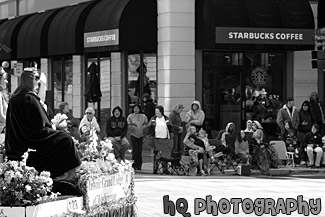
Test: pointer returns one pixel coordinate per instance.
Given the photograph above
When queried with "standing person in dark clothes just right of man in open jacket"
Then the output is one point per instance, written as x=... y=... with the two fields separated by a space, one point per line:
x=306 y=120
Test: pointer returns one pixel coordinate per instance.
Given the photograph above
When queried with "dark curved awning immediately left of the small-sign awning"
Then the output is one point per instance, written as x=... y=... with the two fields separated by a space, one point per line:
x=66 y=30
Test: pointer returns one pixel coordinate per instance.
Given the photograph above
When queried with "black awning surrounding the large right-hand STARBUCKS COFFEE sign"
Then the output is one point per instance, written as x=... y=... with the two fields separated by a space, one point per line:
x=263 y=14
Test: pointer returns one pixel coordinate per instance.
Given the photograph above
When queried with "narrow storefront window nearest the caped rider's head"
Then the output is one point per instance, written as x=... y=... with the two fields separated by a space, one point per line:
x=62 y=80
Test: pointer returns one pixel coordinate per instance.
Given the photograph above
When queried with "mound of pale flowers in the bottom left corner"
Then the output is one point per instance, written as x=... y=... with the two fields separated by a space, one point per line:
x=21 y=185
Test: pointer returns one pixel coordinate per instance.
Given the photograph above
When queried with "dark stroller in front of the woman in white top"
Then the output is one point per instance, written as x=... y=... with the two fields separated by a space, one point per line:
x=164 y=161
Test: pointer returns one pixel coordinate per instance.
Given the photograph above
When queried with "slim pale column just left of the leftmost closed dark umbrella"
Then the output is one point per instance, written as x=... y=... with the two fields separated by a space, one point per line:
x=77 y=95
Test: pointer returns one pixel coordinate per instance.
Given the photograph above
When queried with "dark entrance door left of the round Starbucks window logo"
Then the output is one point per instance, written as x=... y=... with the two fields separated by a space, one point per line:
x=222 y=91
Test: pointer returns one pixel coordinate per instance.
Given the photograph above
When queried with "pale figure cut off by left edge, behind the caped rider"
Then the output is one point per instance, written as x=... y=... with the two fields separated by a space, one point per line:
x=4 y=99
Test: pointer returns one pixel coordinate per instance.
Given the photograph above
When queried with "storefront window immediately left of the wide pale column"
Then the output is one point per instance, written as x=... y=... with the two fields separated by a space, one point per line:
x=142 y=79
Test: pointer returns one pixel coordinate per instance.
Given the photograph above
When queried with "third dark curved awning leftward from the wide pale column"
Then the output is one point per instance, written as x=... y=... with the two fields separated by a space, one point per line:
x=32 y=35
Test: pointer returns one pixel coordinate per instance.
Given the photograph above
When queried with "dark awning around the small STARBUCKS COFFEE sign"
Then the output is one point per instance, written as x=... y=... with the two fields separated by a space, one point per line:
x=134 y=20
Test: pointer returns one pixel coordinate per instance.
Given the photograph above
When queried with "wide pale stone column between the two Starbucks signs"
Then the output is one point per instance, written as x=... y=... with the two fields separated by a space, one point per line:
x=176 y=53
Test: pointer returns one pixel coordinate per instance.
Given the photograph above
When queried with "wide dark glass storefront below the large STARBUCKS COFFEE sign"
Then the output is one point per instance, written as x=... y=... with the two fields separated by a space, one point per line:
x=241 y=86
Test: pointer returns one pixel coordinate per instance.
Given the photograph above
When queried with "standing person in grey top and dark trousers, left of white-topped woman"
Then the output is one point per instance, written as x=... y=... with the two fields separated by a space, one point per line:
x=136 y=123
